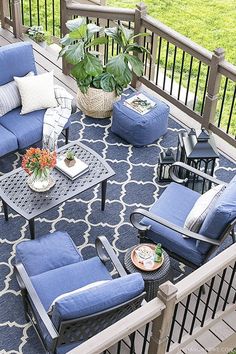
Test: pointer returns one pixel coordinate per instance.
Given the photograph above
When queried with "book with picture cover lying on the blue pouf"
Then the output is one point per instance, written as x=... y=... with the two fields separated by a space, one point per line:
x=140 y=103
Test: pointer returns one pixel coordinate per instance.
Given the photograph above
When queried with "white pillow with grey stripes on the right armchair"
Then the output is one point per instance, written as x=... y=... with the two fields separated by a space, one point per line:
x=202 y=206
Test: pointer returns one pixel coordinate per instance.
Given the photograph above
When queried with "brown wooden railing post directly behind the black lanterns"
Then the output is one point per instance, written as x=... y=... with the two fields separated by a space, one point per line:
x=213 y=88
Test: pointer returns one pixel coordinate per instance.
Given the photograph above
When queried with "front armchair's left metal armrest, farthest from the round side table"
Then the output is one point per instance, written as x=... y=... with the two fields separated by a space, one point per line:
x=26 y=284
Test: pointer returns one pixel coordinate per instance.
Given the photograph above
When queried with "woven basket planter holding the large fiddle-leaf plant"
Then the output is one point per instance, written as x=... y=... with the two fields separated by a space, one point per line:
x=96 y=103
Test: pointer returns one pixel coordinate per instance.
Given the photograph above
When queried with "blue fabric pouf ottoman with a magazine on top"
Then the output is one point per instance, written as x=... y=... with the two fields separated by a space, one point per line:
x=137 y=129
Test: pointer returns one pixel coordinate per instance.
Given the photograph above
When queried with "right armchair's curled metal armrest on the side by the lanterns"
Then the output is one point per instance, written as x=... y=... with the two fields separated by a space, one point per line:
x=193 y=170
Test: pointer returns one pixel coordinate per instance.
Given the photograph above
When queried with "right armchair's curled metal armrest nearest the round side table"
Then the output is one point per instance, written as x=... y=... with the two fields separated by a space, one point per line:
x=169 y=225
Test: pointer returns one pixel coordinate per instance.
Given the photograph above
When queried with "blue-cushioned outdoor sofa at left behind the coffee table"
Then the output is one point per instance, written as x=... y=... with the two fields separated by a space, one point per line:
x=17 y=131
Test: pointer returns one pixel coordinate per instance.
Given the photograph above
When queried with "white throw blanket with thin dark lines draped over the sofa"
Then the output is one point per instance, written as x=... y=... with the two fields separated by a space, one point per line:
x=56 y=118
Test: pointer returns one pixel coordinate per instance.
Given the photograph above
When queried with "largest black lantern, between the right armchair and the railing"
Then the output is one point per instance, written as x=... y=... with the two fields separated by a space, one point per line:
x=198 y=150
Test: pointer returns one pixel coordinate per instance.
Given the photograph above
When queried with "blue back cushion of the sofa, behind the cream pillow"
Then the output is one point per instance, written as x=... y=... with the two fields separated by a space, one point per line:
x=16 y=60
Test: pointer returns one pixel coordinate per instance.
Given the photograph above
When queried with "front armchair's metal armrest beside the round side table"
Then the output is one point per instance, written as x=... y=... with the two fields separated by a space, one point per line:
x=106 y=253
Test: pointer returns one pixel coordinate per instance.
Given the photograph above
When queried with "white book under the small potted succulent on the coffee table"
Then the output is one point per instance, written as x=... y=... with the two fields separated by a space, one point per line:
x=73 y=172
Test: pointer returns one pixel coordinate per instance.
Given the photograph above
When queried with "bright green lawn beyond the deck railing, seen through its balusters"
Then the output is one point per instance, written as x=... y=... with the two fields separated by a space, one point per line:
x=209 y=23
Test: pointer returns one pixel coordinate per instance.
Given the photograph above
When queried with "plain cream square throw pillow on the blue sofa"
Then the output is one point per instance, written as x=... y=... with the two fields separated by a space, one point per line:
x=36 y=92
